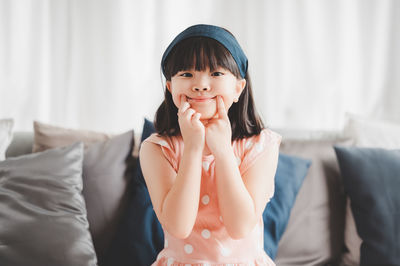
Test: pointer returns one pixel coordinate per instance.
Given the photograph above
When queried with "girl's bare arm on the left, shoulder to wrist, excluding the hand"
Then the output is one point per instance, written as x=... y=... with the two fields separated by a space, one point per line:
x=175 y=196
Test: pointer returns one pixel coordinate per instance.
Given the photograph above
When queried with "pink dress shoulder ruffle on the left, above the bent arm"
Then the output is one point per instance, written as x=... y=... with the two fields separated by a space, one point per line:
x=168 y=147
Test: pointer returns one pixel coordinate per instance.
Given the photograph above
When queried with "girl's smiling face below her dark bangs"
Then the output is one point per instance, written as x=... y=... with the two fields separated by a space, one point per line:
x=201 y=89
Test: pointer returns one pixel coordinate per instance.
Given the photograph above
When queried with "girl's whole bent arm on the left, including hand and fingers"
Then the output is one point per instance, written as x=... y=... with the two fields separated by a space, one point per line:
x=175 y=196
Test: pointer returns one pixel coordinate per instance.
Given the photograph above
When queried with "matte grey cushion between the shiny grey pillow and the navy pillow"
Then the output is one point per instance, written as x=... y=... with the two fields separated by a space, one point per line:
x=107 y=169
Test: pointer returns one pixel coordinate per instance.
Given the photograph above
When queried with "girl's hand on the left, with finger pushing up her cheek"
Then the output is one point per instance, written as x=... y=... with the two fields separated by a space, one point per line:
x=192 y=129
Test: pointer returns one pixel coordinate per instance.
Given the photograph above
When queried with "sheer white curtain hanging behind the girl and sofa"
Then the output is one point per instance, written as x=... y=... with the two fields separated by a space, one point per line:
x=94 y=64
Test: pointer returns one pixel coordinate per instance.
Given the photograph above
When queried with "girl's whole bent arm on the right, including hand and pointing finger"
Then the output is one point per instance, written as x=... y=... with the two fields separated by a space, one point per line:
x=241 y=199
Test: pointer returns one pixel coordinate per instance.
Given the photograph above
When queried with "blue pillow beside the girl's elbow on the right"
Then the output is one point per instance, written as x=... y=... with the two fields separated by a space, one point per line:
x=289 y=177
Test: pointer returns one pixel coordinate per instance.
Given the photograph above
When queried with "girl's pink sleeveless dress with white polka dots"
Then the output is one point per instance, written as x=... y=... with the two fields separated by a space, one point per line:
x=209 y=243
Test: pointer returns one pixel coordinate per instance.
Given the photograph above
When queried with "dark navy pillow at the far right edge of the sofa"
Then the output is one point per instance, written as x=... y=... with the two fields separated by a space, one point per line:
x=371 y=179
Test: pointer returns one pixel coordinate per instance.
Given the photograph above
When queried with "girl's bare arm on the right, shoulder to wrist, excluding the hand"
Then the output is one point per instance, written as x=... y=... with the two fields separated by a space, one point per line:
x=242 y=199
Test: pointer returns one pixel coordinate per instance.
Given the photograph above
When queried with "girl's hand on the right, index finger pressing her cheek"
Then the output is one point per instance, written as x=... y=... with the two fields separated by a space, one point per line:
x=218 y=130
